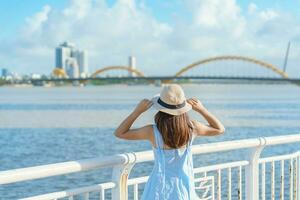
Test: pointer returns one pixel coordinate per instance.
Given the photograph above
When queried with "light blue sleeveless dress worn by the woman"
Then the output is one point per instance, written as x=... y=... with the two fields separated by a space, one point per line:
x=172 y=176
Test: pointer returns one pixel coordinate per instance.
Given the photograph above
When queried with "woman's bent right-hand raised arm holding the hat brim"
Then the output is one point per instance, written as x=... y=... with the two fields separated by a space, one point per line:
x=214 y=127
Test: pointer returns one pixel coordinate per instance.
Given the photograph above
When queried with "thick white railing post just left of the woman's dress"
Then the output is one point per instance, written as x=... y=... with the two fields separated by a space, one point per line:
x=120 y=176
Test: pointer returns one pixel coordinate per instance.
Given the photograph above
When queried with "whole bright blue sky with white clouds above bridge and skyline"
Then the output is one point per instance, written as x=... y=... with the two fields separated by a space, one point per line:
x=151 y=29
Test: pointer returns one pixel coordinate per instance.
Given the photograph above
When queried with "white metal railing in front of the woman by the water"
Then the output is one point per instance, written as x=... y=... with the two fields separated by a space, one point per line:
x=241 y=179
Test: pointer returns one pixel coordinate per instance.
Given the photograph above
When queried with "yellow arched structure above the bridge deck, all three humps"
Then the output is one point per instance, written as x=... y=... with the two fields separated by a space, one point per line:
x=275 y=69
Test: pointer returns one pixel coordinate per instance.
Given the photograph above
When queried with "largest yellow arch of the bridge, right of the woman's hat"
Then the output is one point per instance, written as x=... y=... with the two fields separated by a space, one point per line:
x=241 y=58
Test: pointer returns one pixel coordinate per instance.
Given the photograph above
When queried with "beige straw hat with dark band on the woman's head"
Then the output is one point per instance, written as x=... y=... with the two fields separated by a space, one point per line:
x=171 y=100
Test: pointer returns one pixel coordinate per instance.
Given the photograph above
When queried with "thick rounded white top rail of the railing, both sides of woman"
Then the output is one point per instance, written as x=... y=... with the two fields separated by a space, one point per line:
x=43 y=171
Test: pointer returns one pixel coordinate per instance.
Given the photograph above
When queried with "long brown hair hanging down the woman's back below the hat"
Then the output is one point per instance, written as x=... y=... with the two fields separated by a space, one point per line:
x=175 y=129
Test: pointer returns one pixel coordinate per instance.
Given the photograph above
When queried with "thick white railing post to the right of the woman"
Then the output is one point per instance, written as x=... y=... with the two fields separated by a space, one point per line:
x=252 y=172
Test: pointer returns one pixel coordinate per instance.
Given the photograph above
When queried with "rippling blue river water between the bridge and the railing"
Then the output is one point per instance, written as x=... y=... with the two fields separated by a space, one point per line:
x=48 y=125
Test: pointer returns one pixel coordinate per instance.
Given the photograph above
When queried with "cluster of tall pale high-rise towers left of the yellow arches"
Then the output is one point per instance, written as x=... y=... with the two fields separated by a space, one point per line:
x=66 y=57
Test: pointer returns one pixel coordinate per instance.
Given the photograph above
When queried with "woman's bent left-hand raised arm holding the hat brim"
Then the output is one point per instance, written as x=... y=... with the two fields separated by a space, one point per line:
x=124 y=131
